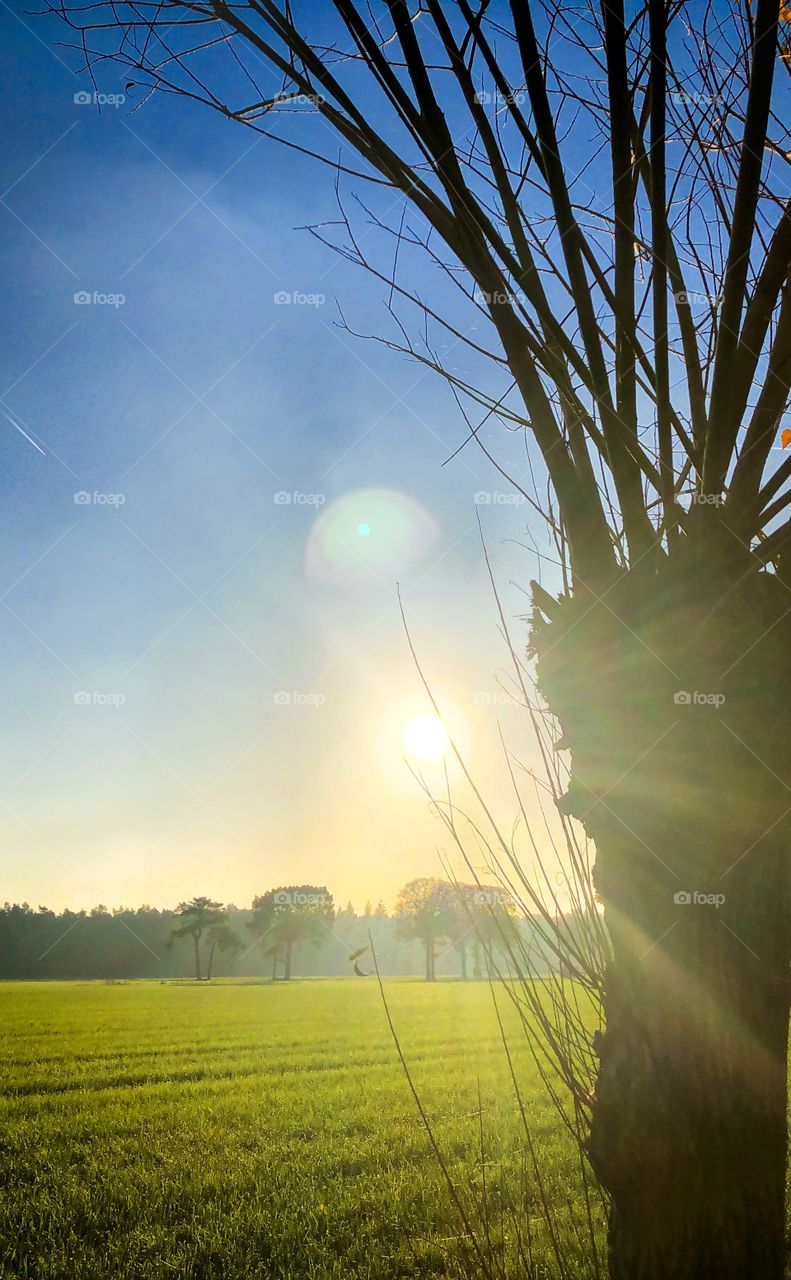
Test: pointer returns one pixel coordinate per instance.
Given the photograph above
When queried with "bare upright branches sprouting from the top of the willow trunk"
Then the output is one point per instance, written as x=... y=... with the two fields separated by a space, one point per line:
x=605 y=195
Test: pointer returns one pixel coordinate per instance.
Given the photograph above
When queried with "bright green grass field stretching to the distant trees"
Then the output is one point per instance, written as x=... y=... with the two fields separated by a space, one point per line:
x=246 y=1131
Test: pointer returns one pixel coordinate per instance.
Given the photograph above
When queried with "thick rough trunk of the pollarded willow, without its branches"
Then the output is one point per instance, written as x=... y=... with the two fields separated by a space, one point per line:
x=688 y=803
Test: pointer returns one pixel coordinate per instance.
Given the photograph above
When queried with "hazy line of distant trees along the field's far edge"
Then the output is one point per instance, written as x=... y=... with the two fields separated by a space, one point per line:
x=437 y=930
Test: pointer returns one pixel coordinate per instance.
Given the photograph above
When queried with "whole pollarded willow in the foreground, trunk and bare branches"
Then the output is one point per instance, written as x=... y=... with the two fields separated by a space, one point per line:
x=606 y=193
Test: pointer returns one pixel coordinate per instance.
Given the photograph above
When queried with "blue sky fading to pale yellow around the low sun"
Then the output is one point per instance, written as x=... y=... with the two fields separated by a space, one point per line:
x=205 y=687
